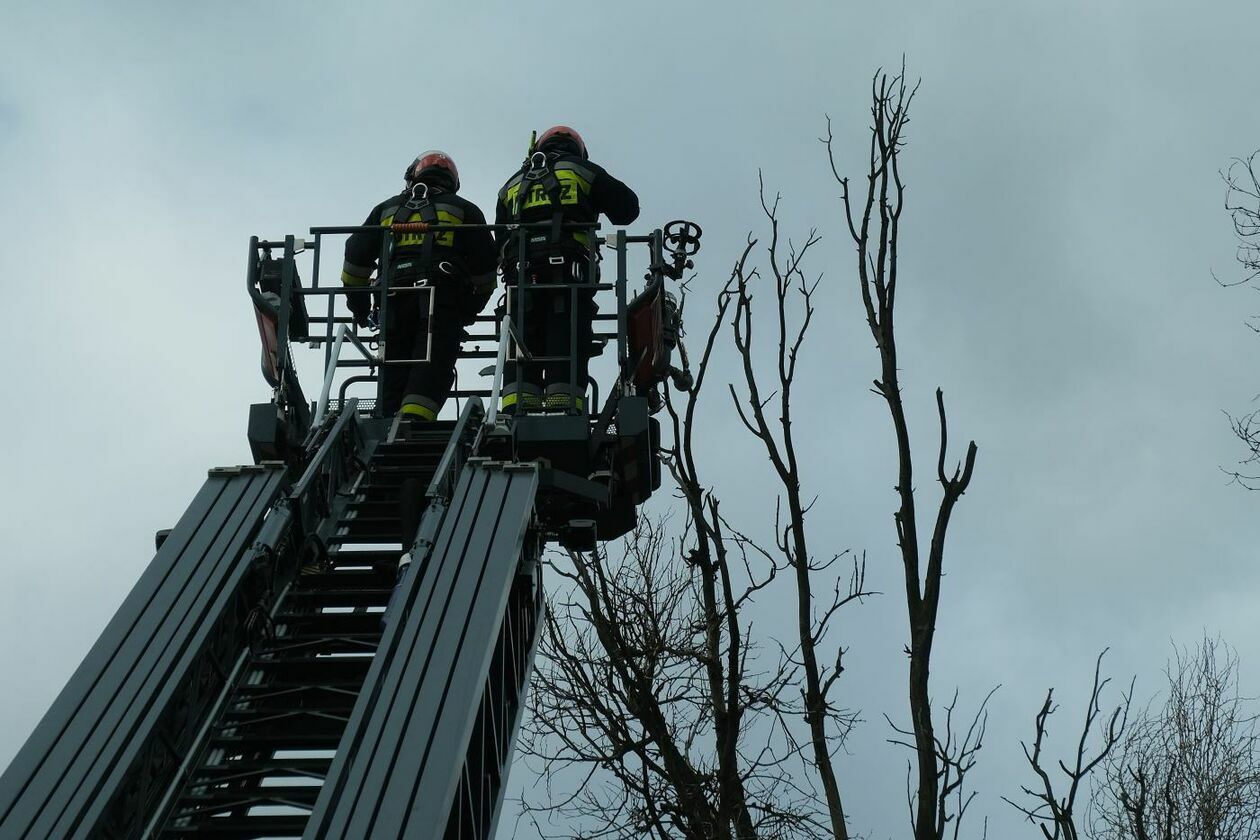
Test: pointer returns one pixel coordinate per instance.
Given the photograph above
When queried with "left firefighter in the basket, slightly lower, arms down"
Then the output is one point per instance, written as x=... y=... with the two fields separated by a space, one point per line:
x=439 y=283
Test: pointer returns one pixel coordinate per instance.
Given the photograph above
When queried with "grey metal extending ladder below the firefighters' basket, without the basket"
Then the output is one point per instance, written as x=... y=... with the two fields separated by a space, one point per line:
x=246 y=688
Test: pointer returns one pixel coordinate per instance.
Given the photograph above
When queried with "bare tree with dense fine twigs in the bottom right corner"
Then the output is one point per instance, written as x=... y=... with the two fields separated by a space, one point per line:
x=1188 y=770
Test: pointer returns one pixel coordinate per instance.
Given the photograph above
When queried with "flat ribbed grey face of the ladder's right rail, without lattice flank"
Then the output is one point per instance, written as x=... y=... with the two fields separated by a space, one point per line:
x=442 y=647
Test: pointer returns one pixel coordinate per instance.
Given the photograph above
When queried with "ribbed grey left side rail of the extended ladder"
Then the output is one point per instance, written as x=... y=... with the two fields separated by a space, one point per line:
x=119 y=731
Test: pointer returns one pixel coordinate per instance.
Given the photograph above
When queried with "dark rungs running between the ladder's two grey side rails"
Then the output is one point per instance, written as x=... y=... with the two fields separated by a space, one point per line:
x=261 y=764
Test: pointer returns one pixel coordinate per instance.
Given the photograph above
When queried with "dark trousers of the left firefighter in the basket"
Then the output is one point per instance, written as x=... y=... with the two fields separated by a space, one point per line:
x=424 y=324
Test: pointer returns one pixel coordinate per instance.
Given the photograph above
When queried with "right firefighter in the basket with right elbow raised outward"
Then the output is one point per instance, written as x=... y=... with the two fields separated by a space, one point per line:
x=561 y=186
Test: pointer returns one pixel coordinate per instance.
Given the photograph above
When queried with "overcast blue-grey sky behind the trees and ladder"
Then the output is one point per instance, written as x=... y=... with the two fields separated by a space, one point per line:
x=1064 y=215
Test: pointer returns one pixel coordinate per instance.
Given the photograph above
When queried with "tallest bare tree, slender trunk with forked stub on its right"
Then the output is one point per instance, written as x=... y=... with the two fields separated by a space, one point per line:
x=875 y=225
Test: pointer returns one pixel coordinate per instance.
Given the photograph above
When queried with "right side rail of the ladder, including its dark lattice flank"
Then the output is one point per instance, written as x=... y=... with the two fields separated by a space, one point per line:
x=428 y=752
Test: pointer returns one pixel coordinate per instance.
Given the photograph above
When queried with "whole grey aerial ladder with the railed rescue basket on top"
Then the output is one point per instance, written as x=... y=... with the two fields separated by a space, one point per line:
x=336 y=642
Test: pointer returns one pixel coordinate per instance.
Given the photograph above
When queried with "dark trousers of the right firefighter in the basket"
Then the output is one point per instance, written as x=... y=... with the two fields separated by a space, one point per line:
x=549 y=328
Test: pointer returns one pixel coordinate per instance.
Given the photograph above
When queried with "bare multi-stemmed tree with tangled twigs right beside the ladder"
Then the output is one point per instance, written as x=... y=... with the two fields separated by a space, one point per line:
x=657 y=711
